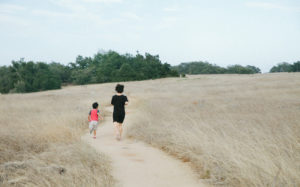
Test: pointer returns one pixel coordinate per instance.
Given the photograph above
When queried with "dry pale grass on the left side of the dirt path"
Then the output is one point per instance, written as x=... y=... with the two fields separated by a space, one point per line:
x=40 y=140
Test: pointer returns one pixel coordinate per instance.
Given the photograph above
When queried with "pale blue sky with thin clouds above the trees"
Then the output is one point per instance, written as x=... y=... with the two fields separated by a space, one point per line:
x=223 y=32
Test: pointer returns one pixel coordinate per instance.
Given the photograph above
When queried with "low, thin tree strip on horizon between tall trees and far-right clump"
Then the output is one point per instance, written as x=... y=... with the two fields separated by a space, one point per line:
x=207 y=68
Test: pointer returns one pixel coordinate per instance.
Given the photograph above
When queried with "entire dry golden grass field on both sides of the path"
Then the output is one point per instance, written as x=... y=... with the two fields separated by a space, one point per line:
x=234 y=130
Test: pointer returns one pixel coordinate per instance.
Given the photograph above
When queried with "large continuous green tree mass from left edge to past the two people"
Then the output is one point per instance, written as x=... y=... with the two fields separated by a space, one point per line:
x=110 y=66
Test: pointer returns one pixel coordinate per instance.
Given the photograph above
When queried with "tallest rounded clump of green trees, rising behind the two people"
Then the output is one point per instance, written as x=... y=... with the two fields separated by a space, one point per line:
x=113 y=67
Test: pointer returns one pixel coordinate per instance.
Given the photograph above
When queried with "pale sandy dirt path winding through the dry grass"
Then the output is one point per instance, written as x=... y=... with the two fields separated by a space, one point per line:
x=138 y=164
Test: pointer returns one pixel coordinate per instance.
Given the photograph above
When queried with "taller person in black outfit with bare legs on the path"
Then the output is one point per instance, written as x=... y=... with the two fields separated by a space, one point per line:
x=119 y=100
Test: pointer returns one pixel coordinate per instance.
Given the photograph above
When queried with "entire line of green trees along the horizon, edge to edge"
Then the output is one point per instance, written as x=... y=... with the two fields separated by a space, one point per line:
x=22 y=76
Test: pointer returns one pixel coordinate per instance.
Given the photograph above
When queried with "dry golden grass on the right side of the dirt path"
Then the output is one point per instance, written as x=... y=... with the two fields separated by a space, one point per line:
x=235 y=130
